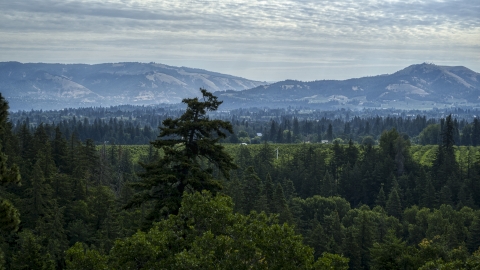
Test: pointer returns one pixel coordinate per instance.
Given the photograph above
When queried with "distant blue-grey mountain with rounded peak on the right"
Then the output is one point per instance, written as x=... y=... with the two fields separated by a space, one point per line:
x=422 y=86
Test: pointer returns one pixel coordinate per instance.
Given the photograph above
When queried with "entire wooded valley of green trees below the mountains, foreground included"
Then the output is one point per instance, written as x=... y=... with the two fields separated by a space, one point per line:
x=371 y=199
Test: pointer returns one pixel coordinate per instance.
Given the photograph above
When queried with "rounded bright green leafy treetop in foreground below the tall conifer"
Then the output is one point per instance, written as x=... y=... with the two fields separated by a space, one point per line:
x=205 y=234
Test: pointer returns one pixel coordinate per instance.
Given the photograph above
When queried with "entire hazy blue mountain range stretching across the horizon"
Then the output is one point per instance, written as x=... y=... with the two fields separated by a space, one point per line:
x=55 y=86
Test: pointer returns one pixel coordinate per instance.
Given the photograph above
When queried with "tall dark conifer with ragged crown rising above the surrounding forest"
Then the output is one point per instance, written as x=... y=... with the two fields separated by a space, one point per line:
x=190 y=153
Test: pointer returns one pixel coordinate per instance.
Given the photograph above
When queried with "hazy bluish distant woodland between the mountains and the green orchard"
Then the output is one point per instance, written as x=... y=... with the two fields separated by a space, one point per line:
x=135 y=125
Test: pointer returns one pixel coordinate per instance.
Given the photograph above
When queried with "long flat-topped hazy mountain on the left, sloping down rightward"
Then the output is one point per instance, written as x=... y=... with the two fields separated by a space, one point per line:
x=56 y=86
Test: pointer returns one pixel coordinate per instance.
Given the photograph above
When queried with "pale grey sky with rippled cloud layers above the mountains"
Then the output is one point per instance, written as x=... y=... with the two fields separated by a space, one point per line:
x=260 y=40
